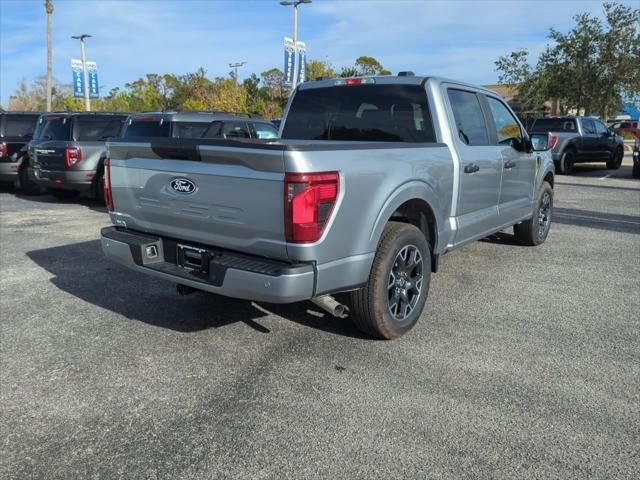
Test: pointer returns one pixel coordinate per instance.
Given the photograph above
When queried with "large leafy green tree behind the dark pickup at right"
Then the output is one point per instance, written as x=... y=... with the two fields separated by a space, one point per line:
x=591 y=68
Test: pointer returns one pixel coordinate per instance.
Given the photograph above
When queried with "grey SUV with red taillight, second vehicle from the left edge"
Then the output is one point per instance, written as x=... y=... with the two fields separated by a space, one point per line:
x=68 y=151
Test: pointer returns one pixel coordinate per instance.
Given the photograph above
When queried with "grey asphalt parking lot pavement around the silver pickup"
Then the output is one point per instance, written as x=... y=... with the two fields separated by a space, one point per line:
x=524 y=364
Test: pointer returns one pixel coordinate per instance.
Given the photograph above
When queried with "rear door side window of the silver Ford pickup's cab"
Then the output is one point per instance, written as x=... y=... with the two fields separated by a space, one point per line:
x=469 y=118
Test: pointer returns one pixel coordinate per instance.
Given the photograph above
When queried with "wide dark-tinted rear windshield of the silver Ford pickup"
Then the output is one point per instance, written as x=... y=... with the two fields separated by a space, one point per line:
x=371 y=113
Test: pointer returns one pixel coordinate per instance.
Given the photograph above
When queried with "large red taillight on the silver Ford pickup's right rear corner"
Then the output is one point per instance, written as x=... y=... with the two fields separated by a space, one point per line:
x=309 y=199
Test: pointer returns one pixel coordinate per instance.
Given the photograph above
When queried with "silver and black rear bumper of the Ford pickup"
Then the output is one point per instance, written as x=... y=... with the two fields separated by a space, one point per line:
x=230 y=274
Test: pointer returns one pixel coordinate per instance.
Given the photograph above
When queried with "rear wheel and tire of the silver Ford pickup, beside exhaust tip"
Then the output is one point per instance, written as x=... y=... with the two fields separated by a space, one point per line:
x=372 y=306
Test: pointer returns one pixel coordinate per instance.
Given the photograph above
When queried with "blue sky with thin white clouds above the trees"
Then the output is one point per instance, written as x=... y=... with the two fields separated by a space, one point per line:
x=460 y=39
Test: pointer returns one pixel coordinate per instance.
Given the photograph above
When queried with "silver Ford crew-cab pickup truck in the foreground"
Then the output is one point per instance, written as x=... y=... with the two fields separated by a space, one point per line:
x=372 y=180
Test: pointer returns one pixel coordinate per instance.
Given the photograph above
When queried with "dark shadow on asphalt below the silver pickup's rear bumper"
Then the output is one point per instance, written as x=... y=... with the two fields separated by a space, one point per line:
x=81 y=270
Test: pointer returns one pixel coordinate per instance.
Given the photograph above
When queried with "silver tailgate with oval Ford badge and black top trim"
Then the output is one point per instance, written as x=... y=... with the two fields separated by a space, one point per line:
x=224 y=196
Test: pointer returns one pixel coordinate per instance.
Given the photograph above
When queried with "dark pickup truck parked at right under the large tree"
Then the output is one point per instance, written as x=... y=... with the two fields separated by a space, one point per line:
x=580 y=139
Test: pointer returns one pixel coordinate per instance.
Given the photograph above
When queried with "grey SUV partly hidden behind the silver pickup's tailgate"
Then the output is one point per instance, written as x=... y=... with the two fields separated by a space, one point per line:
x=191 y=124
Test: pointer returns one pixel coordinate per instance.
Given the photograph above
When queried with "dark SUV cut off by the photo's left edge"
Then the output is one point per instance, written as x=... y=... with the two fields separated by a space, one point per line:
x=16 y=130
